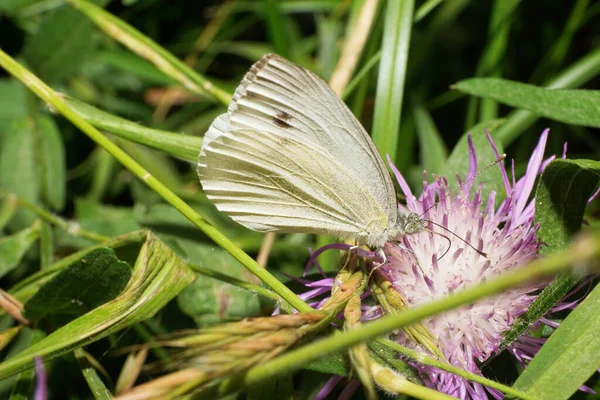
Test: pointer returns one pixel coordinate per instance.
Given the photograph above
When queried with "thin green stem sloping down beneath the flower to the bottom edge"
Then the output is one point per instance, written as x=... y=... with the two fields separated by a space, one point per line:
x=423 y=359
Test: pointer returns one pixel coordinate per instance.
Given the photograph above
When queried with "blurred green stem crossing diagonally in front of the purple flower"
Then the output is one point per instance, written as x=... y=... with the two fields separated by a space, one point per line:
x=584 y=249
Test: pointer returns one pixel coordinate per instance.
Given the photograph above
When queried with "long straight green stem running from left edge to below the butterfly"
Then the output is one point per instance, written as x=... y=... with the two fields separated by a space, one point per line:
x=34 y=84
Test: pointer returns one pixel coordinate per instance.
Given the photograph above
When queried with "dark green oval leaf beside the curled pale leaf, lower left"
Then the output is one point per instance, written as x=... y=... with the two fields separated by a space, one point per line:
x=84 y=285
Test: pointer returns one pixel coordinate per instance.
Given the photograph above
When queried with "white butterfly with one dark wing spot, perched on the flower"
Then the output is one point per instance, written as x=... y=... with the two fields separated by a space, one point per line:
x=289 y=156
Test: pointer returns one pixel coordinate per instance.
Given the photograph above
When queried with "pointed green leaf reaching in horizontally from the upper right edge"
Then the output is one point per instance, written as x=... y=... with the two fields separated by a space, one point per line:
x=572 y=106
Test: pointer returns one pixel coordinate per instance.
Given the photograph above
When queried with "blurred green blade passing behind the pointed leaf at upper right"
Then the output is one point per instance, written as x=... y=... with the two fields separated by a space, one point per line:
x=576 y=75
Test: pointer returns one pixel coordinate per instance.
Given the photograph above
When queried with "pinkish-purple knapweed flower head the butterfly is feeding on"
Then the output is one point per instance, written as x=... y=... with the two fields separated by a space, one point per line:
x=427 y=266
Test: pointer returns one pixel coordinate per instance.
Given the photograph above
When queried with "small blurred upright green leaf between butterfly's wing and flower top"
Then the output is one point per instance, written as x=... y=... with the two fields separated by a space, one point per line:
x=433 y=149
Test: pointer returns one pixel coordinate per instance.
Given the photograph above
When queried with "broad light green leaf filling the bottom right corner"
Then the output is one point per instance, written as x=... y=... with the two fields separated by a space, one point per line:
x=569 y=357
